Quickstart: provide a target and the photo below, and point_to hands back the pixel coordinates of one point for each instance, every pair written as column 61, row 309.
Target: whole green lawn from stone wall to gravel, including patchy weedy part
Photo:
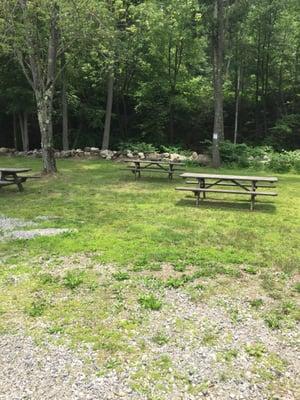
column 132, row 241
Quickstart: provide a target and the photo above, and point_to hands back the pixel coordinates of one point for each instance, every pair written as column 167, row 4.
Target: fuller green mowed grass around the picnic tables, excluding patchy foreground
column 146, row 221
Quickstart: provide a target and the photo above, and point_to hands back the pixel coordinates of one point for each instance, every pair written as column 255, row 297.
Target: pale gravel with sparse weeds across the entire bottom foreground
column 196, row 370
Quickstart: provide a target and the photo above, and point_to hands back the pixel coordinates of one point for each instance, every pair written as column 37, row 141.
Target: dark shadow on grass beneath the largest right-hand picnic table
column 220, row 204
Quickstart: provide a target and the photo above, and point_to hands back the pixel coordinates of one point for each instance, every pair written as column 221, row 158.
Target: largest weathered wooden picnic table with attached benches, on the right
column 248, row 185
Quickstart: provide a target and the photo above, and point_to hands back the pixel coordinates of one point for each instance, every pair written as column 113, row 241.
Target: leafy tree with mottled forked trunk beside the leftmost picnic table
column 38, row 33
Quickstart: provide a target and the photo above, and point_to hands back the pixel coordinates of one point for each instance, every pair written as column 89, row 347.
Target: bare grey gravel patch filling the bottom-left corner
column 35, row 373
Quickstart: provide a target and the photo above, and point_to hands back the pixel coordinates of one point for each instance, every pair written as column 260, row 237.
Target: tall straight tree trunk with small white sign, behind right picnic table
column 218, row 49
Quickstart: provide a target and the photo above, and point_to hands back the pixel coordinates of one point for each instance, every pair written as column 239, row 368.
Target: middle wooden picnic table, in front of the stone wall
column 169, row 167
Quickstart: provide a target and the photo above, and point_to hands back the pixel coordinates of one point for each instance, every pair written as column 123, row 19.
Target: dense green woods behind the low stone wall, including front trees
column 171, row 72
